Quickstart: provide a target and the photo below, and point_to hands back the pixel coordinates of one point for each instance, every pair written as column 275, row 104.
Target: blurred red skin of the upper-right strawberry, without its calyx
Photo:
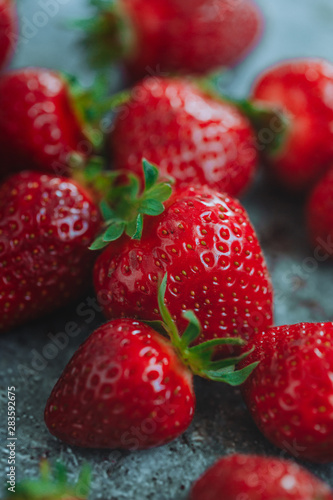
column 301, row 90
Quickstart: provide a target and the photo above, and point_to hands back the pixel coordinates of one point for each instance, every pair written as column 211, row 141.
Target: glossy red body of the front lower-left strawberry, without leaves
column 124, row 388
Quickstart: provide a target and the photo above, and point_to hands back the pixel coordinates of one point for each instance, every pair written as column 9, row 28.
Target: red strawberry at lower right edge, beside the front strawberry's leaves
column 290, row 394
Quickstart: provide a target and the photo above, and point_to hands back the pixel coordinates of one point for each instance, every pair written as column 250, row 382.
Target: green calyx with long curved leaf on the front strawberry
column 200, row 357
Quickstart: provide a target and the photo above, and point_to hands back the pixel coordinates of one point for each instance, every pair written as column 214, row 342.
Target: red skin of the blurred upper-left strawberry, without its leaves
column 39, row 127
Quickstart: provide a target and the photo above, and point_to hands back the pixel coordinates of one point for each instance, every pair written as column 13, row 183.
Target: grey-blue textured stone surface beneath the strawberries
column 303, row 289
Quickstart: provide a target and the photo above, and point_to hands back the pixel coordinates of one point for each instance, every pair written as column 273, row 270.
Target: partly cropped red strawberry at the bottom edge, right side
column 258, row 478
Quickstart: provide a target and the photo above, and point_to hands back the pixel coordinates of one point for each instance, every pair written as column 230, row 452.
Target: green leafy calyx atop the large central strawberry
column 130, row 206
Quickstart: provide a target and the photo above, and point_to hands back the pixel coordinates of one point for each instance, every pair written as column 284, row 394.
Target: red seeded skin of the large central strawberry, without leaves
column 205, row 242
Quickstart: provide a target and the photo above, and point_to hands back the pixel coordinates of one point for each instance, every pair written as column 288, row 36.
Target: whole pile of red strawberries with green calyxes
column 148, row 212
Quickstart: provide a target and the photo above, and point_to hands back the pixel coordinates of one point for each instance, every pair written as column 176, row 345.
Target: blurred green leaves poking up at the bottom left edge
column 53, row 485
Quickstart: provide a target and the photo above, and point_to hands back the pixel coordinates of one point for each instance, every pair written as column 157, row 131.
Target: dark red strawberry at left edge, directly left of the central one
column 46, row 226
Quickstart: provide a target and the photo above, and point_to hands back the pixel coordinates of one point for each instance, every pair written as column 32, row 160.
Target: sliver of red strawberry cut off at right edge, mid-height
column 320, row 217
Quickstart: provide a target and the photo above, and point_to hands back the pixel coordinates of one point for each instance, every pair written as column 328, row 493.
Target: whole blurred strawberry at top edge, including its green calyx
column 194, row 36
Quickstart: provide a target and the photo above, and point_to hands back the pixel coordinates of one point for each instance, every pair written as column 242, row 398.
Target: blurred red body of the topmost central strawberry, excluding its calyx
column 194, row 36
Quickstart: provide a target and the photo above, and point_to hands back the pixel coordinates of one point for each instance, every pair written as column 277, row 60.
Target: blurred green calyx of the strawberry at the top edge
column 109, row 34
